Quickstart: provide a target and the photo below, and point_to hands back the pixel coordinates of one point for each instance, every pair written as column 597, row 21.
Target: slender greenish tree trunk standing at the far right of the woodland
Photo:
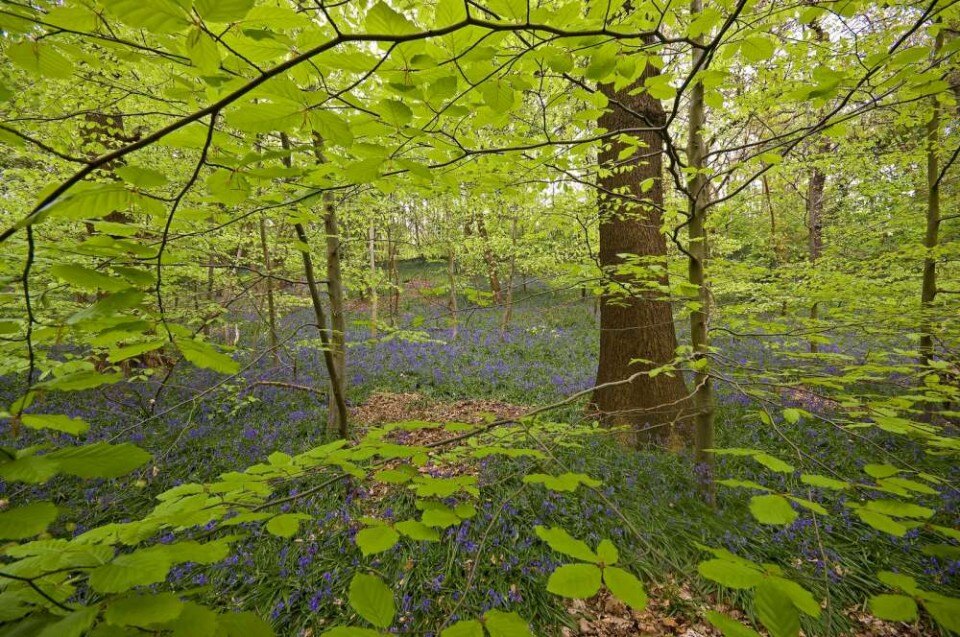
column 931, row 236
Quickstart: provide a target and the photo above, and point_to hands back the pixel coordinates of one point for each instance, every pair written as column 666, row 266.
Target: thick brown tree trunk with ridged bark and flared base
column 635, row 325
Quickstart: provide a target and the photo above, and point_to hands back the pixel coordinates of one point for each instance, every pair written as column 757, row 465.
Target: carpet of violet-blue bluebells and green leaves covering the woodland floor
column 547, row 353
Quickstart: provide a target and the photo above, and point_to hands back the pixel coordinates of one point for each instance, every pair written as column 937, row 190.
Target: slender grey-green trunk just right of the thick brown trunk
column 698, row 250
